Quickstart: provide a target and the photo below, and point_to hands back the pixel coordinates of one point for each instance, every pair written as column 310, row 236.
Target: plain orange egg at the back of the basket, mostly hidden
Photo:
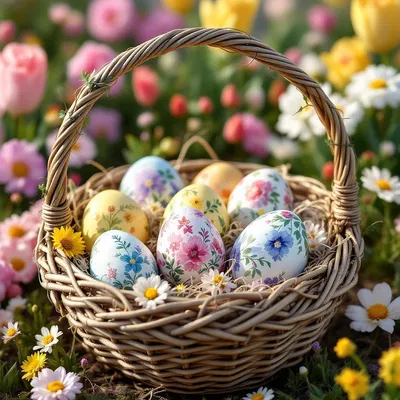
column 220, row 176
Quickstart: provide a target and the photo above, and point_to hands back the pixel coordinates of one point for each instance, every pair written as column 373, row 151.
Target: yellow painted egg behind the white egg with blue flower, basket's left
column 111, row 209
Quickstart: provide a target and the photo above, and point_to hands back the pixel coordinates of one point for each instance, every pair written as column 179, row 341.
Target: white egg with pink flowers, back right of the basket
column 258, row 193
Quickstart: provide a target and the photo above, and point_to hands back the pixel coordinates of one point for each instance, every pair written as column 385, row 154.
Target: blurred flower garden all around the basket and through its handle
column 246, row 112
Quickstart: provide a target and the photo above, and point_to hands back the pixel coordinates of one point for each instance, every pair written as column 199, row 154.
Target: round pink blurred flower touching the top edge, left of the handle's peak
column 111, row 21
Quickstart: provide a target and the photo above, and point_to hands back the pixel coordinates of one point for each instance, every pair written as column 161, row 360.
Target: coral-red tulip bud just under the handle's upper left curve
column 145, row 86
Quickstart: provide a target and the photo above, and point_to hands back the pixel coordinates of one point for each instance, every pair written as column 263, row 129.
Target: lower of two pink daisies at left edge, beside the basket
column 20, row 257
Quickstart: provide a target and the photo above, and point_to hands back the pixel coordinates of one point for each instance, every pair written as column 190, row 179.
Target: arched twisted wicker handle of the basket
column 345, row 190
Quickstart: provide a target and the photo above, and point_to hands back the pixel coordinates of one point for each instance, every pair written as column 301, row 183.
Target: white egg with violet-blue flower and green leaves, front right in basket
column 272, row 248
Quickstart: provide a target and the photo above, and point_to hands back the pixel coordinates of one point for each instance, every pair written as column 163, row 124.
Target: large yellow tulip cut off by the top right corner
column 376, row 22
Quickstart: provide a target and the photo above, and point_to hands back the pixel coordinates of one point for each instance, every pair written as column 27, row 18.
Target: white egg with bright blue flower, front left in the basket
column 118, row 258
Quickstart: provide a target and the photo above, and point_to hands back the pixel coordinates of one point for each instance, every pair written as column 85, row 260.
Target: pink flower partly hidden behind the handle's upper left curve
column 91, row 56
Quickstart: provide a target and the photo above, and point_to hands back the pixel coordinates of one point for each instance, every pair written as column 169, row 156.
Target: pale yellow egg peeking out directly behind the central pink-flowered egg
column 204, row 199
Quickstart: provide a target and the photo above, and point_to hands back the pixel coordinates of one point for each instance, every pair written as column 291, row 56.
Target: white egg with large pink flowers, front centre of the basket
column 188, row 246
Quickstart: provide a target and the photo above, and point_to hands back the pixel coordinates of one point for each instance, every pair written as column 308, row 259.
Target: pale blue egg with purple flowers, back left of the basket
column 151, row 179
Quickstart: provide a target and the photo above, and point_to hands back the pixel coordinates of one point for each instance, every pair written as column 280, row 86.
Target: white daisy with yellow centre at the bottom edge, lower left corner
column 58, row 384
